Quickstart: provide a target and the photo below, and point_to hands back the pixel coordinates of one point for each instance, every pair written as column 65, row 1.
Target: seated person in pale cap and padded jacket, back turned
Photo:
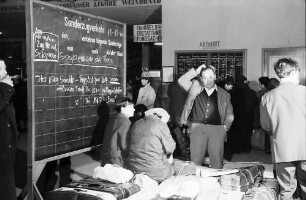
column 150, row 144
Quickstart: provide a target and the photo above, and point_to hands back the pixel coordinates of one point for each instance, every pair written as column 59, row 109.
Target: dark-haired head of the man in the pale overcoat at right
column 284, row 66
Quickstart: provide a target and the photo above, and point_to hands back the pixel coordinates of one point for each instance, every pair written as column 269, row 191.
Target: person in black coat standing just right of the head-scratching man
column 244, row 101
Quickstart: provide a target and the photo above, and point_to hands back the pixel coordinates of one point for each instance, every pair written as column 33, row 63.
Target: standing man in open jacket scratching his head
column 208, row 112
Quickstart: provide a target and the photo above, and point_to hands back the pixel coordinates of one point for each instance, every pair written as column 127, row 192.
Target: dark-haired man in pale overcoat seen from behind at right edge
column 283, row 114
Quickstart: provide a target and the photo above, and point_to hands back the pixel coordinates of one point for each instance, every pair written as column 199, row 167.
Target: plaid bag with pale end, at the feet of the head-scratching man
column 242, row 180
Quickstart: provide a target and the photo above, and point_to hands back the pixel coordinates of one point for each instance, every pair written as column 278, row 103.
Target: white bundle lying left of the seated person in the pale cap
column 113, row 173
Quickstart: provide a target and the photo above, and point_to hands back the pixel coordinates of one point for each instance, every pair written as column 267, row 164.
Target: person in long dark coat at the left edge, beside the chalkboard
column 8, row 136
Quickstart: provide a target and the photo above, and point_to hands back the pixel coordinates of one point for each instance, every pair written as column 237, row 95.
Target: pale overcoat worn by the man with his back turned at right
column 283, row 111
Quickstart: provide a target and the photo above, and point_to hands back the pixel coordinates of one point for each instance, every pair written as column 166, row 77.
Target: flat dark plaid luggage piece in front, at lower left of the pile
column 93, row 189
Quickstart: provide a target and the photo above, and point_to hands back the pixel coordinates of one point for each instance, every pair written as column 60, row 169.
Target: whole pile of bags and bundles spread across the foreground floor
column 113, row 183
